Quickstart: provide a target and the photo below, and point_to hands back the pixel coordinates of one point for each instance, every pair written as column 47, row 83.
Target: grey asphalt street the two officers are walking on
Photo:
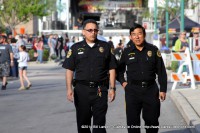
column 44, row 108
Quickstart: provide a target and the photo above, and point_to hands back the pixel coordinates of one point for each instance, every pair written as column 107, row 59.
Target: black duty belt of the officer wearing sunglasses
column 92, row 84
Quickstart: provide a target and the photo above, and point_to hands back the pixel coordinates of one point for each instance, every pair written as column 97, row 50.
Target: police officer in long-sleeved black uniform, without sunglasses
column 143, row 62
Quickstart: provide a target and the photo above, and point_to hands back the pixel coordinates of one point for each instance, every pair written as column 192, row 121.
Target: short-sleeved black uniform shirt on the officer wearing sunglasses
column 90, row 64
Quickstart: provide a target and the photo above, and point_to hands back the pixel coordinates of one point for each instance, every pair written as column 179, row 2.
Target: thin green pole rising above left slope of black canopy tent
column 167, row 22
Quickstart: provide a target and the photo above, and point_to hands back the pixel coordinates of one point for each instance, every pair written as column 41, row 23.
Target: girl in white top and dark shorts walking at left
column 23, row 64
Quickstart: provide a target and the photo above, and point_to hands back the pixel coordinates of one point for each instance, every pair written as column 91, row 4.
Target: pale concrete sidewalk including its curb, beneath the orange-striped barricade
column 188, row 103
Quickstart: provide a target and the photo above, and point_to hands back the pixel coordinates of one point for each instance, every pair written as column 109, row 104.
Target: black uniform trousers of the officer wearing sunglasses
column 88, row 104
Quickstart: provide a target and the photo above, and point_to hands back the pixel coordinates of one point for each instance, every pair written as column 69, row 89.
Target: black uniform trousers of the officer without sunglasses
column 145, row 100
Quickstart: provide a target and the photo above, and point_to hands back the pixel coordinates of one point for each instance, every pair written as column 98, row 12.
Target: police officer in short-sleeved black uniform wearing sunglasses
column 94, row 66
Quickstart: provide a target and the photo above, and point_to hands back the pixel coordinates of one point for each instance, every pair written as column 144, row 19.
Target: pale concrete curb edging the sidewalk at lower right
column 186, row 110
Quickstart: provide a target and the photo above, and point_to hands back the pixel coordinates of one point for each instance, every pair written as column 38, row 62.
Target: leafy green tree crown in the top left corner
column 14, row 12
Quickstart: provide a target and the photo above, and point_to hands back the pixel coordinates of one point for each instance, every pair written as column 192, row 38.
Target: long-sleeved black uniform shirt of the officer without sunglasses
column 143, row 65
